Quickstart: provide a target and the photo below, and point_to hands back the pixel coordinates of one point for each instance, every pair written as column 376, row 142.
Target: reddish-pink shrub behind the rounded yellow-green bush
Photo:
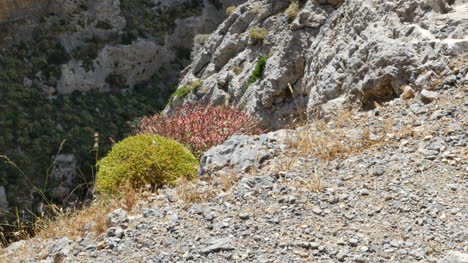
column 200, row 127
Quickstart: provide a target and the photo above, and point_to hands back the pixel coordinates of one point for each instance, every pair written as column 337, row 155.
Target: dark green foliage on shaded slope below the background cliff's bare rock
column 33, row 125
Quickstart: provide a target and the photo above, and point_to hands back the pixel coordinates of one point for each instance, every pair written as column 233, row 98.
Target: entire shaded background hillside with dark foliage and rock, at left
column 74, row 75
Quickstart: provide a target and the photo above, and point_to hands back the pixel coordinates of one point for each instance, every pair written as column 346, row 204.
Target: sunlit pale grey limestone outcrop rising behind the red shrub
column 359, row 51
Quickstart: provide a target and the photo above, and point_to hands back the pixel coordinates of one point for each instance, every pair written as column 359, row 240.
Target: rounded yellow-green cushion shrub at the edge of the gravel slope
column 145, row 159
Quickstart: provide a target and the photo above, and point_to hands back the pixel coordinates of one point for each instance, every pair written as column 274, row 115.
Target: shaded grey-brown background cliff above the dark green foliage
column 100, row 39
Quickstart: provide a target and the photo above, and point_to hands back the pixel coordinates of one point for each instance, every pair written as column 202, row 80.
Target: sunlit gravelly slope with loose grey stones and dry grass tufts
column 382, row 185
